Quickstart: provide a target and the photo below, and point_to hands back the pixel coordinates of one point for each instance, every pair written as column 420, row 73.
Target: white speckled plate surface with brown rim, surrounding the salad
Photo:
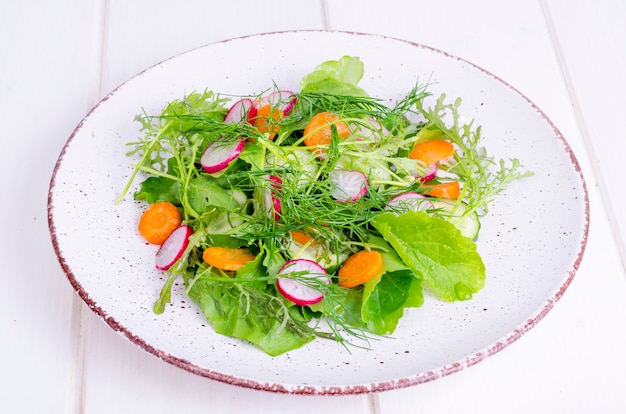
column 532, row 242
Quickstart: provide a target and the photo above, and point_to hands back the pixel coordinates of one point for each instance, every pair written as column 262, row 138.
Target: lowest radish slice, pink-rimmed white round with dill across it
column 298, row 292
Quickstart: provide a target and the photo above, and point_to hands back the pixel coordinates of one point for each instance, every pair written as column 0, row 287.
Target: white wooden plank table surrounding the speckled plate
column 58, row 58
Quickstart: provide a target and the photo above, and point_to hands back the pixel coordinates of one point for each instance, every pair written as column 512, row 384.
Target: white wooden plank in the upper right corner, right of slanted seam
column 590, row 41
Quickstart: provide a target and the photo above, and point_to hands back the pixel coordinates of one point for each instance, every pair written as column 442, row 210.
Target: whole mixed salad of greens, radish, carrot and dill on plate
column 318, row 213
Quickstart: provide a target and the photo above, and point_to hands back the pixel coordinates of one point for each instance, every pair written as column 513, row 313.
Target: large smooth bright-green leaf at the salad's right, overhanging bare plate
column 446, row 261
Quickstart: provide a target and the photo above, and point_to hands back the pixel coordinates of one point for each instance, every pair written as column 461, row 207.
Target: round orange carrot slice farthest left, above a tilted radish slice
column 158, row 221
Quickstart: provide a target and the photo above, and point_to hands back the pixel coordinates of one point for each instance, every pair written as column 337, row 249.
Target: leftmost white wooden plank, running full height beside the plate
column 45, row 89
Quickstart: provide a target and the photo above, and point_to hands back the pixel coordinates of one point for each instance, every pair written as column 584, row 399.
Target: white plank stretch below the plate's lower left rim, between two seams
column 121, row 377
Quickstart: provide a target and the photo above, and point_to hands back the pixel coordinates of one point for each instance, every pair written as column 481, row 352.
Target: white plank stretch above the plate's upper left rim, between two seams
column 144, row 33
